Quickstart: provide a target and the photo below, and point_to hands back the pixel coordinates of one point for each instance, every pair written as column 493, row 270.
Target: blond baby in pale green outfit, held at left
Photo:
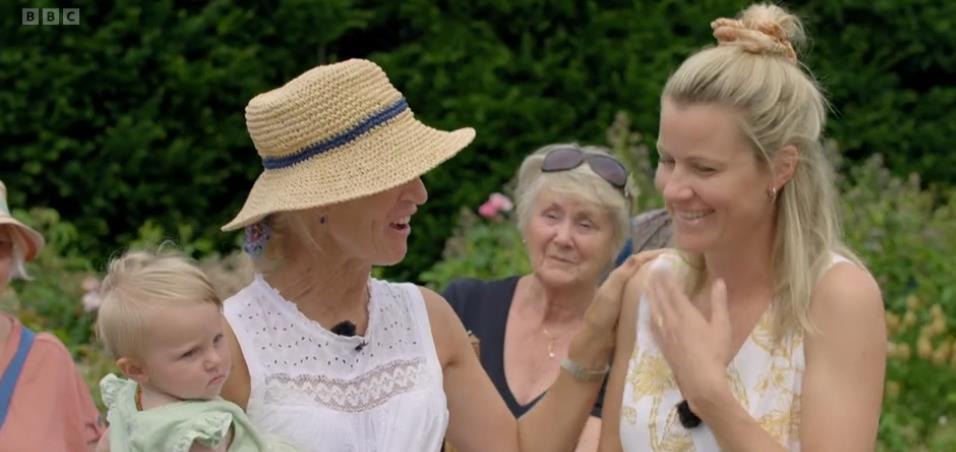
column 160, row 320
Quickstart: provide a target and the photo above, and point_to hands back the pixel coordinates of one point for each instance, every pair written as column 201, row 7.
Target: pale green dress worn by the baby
column 174, row 427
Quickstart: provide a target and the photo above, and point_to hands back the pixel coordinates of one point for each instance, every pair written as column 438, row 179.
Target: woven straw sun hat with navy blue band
column 336, row 133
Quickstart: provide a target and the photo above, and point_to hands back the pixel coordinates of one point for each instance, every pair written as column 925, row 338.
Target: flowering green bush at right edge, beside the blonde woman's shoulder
column 907, row 237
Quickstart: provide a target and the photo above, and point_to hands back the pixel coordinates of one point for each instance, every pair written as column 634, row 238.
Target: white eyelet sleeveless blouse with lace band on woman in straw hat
column 324, row 392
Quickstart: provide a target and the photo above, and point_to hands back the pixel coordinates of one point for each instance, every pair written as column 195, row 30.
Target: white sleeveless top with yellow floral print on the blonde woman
column 765, row 377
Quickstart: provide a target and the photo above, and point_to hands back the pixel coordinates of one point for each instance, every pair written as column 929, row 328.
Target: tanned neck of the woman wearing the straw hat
column 326, row 289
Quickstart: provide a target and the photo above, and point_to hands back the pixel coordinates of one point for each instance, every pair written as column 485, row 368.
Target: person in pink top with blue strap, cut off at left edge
column 44, row 404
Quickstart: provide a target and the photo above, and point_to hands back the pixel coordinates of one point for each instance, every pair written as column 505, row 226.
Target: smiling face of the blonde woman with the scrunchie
column 710, row 178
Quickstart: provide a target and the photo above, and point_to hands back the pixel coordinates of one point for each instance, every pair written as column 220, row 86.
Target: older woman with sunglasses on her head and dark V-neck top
column 572, row 211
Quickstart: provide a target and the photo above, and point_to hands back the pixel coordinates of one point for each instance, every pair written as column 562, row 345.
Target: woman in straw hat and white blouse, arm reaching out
column 332, row 359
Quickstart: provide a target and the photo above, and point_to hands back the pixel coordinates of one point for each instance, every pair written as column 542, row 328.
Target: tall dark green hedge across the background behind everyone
column 136, row 114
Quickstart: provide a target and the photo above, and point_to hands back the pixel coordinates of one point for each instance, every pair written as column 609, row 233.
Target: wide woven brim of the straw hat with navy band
column 381, row 159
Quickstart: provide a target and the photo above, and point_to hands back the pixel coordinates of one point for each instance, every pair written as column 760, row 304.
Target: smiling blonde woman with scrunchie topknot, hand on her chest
column 765, row 332
